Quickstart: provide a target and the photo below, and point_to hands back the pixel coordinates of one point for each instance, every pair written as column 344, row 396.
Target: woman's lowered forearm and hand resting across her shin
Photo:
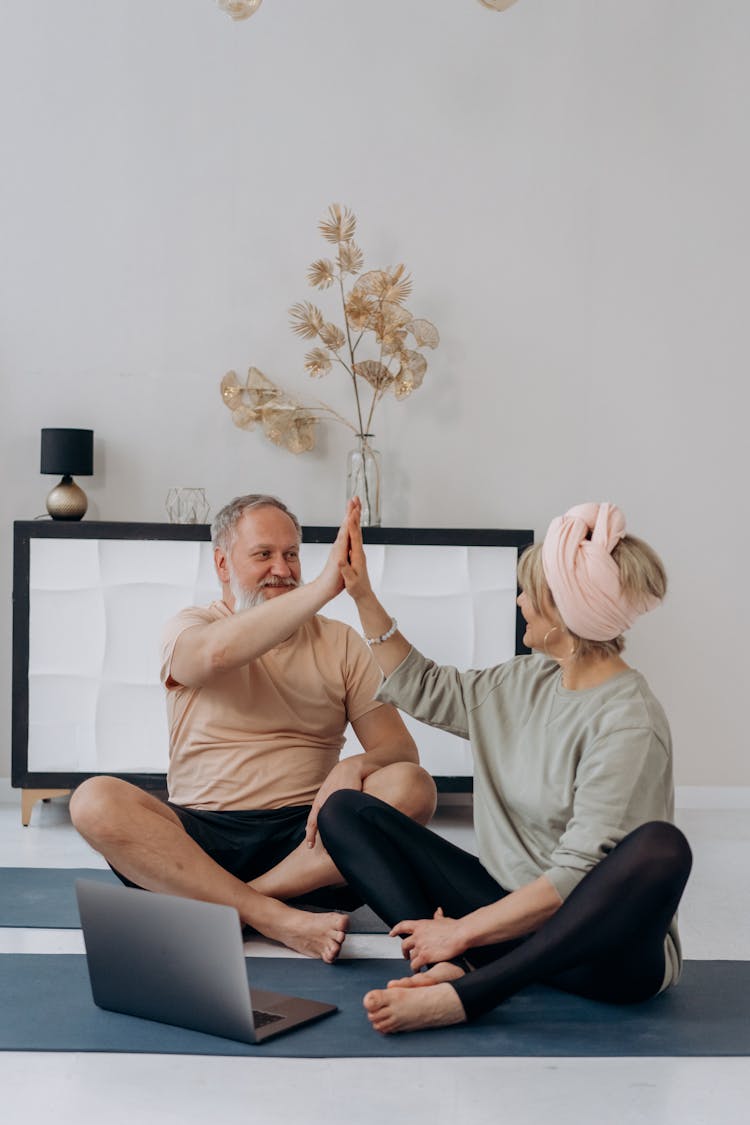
column 440, row 939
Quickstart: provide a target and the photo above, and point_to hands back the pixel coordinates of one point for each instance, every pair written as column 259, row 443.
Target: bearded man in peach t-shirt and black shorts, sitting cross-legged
column 259, row 692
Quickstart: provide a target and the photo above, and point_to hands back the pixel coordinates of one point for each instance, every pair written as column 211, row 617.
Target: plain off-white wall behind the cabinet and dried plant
column 568, row 183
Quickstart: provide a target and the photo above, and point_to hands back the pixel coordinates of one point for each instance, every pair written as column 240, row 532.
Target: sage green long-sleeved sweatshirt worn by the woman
column 561, row 777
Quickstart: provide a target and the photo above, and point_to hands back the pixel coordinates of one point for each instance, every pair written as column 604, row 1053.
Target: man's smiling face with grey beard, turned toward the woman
column 264, row 562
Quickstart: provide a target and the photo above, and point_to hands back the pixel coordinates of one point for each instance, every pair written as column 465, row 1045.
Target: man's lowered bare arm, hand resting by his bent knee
column 385, row 741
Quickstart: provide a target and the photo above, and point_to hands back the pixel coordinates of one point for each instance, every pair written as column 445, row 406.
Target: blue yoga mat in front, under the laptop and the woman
column 48, row 1006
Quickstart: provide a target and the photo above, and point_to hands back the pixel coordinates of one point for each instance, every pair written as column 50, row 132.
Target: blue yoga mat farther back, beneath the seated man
column 44, row 898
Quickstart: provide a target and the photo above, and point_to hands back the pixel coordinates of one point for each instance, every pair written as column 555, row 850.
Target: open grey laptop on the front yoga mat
column 179, row 961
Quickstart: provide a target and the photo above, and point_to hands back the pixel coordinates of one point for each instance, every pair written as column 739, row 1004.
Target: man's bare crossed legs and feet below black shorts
column 147, row 842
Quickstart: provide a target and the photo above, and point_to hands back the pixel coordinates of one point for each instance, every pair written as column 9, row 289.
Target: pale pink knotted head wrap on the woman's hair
column 583, row 577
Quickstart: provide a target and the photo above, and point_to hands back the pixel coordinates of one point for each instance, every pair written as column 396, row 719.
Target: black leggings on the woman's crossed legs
column 607, row 942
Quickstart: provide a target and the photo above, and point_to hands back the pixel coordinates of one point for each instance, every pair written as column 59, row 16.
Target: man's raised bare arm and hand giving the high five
column 204, row 652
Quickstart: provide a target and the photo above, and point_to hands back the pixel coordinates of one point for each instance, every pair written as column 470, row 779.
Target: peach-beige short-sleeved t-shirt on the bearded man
column 266, row 736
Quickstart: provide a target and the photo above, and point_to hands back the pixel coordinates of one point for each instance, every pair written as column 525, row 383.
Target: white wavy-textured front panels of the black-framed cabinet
column 97, row 607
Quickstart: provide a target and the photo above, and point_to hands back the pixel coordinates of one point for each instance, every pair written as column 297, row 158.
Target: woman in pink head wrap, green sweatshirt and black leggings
column 580, row 870
